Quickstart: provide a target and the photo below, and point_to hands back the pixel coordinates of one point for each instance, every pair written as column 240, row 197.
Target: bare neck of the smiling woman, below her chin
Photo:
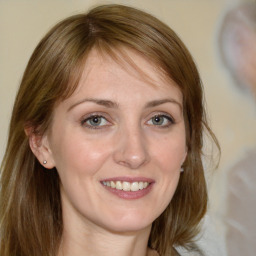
column 100, row 242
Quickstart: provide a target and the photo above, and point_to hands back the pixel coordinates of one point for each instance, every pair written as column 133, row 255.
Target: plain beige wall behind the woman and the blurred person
column 232, row 114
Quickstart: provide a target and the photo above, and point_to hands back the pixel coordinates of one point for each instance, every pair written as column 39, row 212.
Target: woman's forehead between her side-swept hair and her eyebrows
column 120, row 64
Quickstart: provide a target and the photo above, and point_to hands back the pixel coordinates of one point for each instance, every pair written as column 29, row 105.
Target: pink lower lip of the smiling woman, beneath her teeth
column 129, row 195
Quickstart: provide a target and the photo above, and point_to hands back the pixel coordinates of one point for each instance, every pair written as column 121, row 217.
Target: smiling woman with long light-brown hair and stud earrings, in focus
column 105, row 145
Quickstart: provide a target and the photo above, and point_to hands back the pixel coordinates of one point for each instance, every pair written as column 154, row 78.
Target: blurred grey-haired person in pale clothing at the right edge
column 237, row 41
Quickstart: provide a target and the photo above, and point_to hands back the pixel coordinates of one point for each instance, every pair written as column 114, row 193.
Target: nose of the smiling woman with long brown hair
column 131, row 149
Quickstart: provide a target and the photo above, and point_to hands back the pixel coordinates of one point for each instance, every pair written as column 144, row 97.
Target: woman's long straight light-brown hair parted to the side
column 30, row 207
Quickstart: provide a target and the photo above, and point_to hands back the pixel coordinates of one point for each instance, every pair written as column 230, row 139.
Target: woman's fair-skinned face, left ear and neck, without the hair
column 121, row 129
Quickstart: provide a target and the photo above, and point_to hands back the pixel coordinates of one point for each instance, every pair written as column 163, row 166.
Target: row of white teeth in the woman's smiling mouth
column 126, row 186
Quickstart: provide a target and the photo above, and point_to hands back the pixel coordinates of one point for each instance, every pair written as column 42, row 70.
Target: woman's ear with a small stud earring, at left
column 40, row 147
